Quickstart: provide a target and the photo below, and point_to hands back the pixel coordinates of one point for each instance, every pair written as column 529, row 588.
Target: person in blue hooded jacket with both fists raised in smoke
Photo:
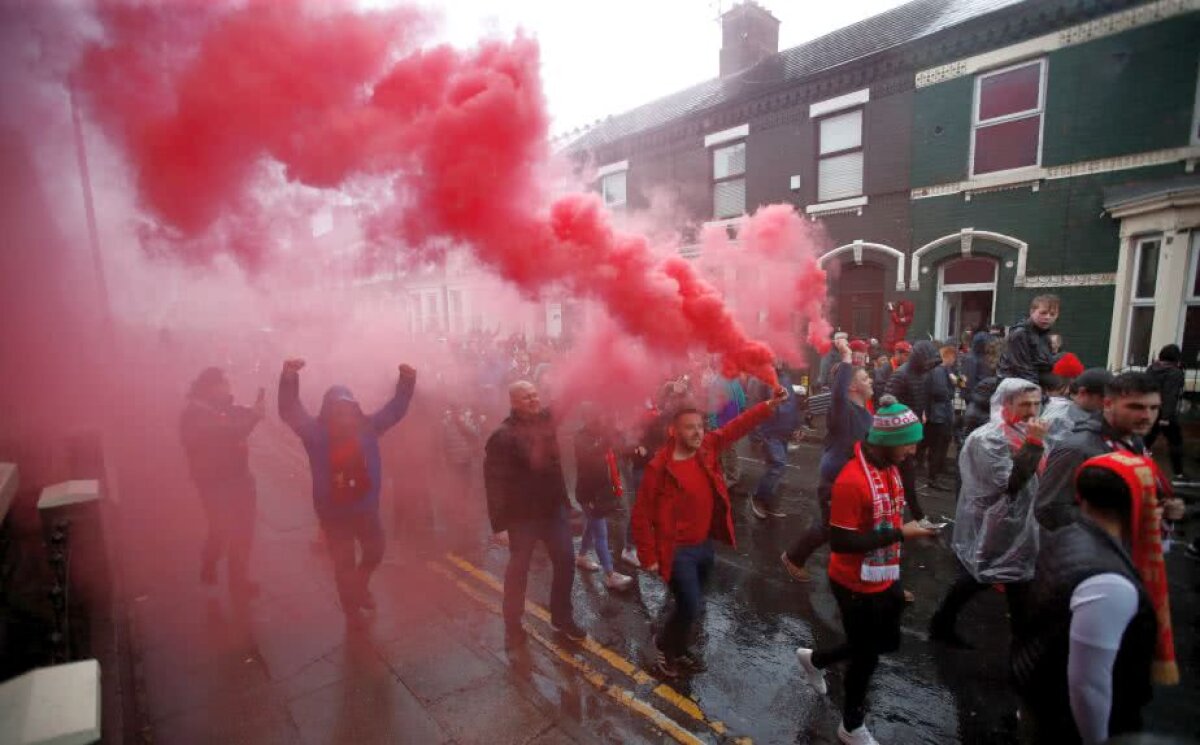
column 344, row 456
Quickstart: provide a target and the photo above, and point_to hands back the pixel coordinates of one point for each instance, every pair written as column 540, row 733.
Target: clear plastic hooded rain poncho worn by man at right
column 995, row 533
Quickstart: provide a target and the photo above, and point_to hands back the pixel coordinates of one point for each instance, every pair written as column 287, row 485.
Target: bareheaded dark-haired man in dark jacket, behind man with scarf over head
column 1132, row 404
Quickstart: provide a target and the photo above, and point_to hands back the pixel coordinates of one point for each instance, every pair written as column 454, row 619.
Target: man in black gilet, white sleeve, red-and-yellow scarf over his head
column 1100, row 628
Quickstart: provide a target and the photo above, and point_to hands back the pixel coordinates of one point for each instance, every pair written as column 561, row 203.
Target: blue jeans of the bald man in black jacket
column 524, row 536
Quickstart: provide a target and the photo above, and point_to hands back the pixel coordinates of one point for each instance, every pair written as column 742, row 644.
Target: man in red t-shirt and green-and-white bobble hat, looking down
column 866, row 532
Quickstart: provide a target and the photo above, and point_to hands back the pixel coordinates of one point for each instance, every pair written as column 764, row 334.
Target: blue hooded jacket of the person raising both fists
column 334, row 500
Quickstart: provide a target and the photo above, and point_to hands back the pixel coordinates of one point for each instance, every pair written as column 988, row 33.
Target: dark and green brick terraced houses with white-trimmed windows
column 962, row 154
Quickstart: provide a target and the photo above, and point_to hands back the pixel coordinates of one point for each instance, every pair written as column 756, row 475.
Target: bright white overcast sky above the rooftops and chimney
column 603, row 58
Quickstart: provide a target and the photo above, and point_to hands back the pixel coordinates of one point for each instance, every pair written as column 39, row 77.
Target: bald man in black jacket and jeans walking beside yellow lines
column 527, row 498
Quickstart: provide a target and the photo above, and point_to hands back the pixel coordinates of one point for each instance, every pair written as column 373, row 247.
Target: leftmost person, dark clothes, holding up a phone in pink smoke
column 214, row 432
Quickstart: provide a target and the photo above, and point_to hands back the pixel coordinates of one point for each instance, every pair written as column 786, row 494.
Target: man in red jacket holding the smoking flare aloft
column 683, row 506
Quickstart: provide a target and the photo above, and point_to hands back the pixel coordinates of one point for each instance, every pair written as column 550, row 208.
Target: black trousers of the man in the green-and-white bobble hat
column 872, row 622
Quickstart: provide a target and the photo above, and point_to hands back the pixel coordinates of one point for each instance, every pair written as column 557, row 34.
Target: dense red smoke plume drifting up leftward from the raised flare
column 201, row 99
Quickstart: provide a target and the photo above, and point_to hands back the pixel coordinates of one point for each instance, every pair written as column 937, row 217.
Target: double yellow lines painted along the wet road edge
column 622, row 695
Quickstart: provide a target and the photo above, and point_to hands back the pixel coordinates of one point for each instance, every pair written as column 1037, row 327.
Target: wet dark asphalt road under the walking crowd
column 758, row 616
